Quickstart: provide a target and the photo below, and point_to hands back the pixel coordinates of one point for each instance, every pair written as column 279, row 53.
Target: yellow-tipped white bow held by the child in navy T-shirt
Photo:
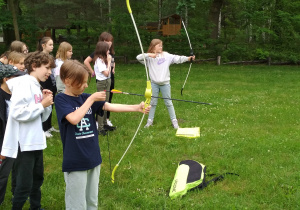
column 148, row 92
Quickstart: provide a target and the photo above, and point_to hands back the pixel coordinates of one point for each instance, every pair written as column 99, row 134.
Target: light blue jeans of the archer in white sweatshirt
column 166, row 93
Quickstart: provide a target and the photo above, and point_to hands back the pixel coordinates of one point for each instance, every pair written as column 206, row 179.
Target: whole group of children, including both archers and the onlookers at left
column 28, row 101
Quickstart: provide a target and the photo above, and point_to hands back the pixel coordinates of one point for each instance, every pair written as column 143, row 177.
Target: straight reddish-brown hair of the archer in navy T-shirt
column 75, row 71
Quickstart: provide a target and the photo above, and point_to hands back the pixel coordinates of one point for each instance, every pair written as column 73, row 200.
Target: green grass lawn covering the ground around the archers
column 252, row 129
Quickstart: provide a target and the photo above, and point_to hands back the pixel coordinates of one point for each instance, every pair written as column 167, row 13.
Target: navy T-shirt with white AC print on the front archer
column 81, row 149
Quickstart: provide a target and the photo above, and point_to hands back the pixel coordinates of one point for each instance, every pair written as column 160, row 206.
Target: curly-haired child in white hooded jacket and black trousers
column 24, row 137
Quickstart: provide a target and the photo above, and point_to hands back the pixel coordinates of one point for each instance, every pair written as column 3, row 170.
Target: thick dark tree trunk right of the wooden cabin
column 214, row 15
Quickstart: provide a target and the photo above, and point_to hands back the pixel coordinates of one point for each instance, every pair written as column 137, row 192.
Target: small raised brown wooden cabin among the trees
column 170, row 25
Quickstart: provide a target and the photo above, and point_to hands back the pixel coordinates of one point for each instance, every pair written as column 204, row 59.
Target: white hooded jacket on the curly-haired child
column 24, row 124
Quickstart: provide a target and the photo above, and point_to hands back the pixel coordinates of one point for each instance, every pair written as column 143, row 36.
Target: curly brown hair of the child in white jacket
column 37, row 59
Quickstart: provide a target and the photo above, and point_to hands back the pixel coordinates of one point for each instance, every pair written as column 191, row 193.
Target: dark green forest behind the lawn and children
column 235, row 30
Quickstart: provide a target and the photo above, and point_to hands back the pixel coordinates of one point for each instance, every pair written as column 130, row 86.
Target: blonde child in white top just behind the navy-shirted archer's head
column 64, row 52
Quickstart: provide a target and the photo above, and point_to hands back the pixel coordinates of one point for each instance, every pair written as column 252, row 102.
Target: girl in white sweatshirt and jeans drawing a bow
column 158, row 63
